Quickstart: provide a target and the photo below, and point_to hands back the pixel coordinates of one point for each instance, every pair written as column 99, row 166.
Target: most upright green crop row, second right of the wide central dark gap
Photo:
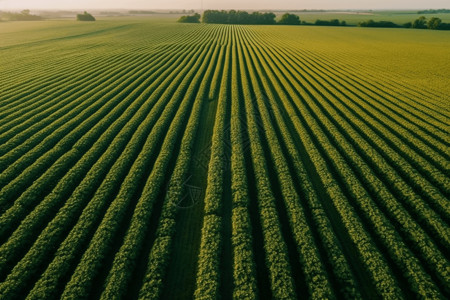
column 244, row 269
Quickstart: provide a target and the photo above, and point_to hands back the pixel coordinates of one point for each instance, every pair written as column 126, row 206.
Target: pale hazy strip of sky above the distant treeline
column 224, row 4
